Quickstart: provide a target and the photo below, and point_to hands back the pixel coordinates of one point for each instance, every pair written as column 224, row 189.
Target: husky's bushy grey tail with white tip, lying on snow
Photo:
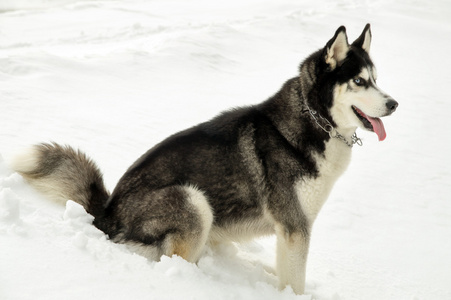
column 62, row 173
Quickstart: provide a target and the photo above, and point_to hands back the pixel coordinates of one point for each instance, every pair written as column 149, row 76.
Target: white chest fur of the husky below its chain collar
column 313, row 192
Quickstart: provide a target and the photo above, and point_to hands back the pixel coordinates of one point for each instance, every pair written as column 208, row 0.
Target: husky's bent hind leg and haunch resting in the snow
column 173, row 221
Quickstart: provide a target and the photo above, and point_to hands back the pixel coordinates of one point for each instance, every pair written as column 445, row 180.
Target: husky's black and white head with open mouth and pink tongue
column 346, row 81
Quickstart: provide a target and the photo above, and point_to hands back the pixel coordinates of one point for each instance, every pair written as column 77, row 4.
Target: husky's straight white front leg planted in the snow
column 292, row 250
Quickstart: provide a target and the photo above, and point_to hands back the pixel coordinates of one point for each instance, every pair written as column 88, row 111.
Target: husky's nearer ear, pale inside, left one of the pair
column 337, row 48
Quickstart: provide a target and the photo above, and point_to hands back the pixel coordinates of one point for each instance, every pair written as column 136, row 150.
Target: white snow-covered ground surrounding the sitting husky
column 116, row 77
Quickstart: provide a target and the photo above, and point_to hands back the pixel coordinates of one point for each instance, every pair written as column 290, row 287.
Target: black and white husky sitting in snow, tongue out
column 253, row 171
